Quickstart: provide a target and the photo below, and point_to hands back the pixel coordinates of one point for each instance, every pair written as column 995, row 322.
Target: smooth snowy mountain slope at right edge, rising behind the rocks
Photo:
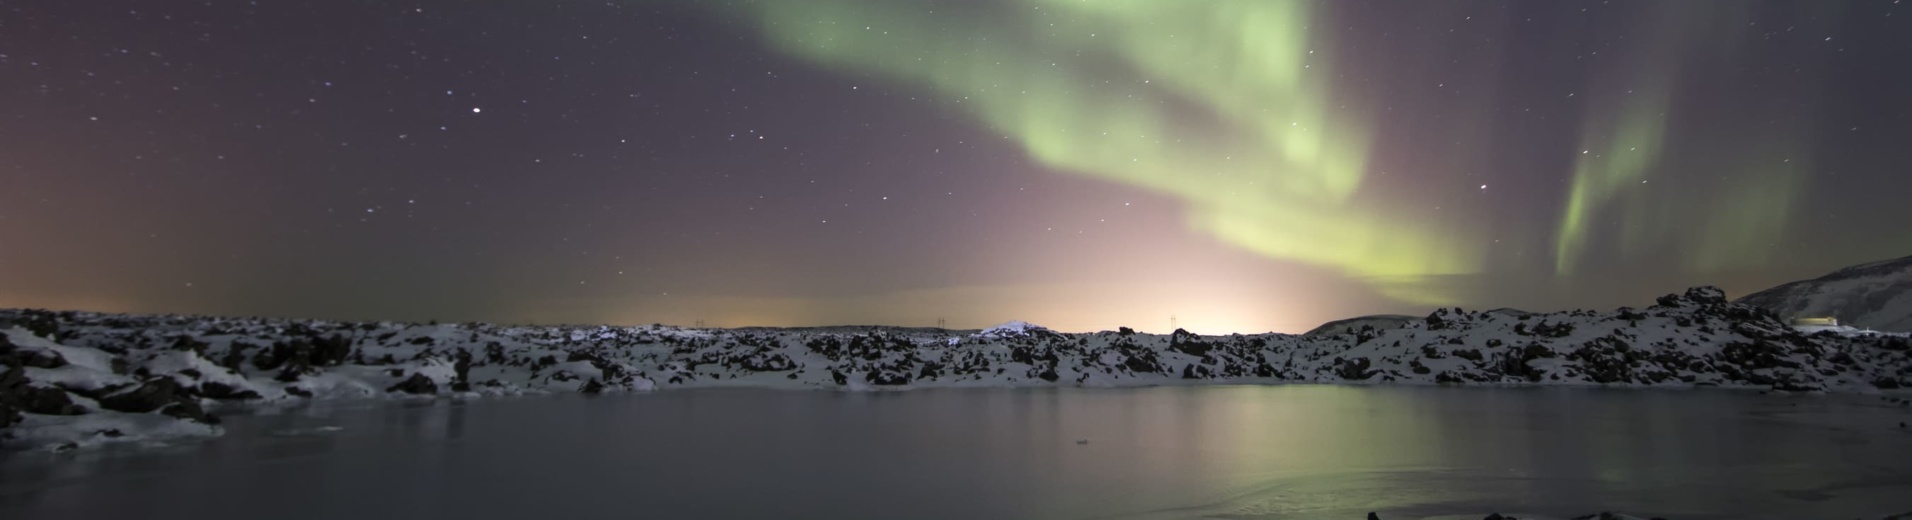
column 1871, row 295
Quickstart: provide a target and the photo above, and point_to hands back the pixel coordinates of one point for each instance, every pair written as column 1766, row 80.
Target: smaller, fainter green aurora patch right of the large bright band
column 1750, row 181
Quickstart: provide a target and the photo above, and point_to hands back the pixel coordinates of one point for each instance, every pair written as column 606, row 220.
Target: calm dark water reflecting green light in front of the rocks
column 1217, row 452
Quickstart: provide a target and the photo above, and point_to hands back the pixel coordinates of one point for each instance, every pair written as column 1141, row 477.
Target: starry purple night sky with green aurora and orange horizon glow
column 1083, row 165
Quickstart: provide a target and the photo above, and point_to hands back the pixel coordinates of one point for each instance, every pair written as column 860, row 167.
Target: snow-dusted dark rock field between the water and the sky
column 76, row 379
